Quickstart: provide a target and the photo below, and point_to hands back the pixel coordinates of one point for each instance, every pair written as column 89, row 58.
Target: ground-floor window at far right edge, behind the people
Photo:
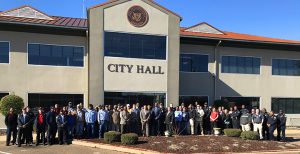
column 287, row 105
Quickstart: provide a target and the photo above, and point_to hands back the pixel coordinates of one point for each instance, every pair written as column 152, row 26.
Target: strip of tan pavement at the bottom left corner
column 59, row 149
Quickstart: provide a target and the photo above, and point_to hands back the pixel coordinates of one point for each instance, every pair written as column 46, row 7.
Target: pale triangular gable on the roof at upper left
column 26, row 12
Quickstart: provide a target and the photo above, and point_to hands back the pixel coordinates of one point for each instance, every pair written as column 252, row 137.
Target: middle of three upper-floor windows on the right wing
column 242, row 65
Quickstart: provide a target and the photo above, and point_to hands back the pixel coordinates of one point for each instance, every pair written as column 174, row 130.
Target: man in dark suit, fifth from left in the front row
column 61, row 121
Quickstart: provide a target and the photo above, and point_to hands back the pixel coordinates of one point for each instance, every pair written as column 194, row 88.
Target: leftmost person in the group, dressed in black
column 11, row 122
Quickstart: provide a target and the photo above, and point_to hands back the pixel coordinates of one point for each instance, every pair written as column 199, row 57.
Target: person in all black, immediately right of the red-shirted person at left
column 51, row 123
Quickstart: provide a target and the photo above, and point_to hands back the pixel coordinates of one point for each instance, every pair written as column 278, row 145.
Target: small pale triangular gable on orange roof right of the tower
column 204, row 28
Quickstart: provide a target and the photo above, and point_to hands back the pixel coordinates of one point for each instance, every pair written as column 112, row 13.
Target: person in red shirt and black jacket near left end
column 40, row 126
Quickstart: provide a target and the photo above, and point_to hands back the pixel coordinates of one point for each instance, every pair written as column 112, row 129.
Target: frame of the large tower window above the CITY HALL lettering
column 136, row 33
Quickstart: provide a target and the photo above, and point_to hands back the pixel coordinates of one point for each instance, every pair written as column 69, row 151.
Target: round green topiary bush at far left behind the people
column 11, row 101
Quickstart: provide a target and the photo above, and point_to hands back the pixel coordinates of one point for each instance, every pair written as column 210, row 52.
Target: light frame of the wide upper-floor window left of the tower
column 62, row 45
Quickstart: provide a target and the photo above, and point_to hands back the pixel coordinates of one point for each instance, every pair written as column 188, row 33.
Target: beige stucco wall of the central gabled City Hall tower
column 113, row 17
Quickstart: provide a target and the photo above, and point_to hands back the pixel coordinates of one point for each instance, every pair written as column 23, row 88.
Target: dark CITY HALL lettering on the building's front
column 140, row 69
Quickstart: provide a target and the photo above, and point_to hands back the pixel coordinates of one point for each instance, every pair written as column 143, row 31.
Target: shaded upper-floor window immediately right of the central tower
column 193, row 63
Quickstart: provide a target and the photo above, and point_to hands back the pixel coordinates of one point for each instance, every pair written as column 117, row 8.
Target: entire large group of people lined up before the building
column 77, row 122
